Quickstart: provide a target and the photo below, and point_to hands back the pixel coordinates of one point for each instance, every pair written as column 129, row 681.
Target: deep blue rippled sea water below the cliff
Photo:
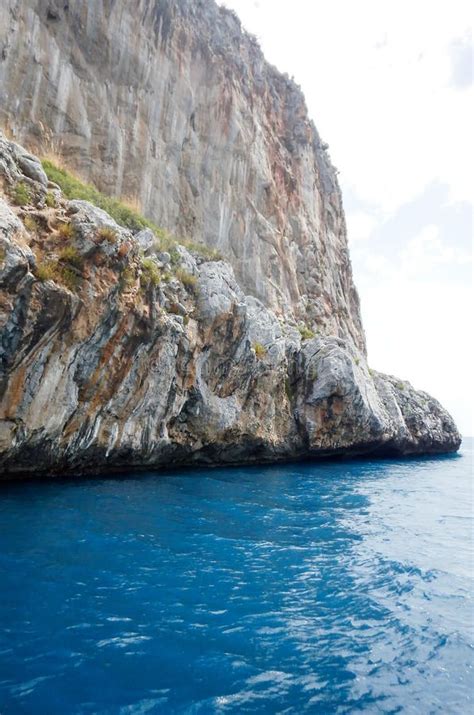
column 340, row 587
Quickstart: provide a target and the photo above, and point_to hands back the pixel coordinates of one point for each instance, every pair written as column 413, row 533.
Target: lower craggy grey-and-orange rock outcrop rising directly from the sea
column 112, row 359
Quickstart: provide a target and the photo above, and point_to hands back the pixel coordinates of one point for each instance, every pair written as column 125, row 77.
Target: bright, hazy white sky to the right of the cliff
column 389, row 86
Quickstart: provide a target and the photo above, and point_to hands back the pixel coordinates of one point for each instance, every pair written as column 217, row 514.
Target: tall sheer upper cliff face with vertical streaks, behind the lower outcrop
column 169, row 101
